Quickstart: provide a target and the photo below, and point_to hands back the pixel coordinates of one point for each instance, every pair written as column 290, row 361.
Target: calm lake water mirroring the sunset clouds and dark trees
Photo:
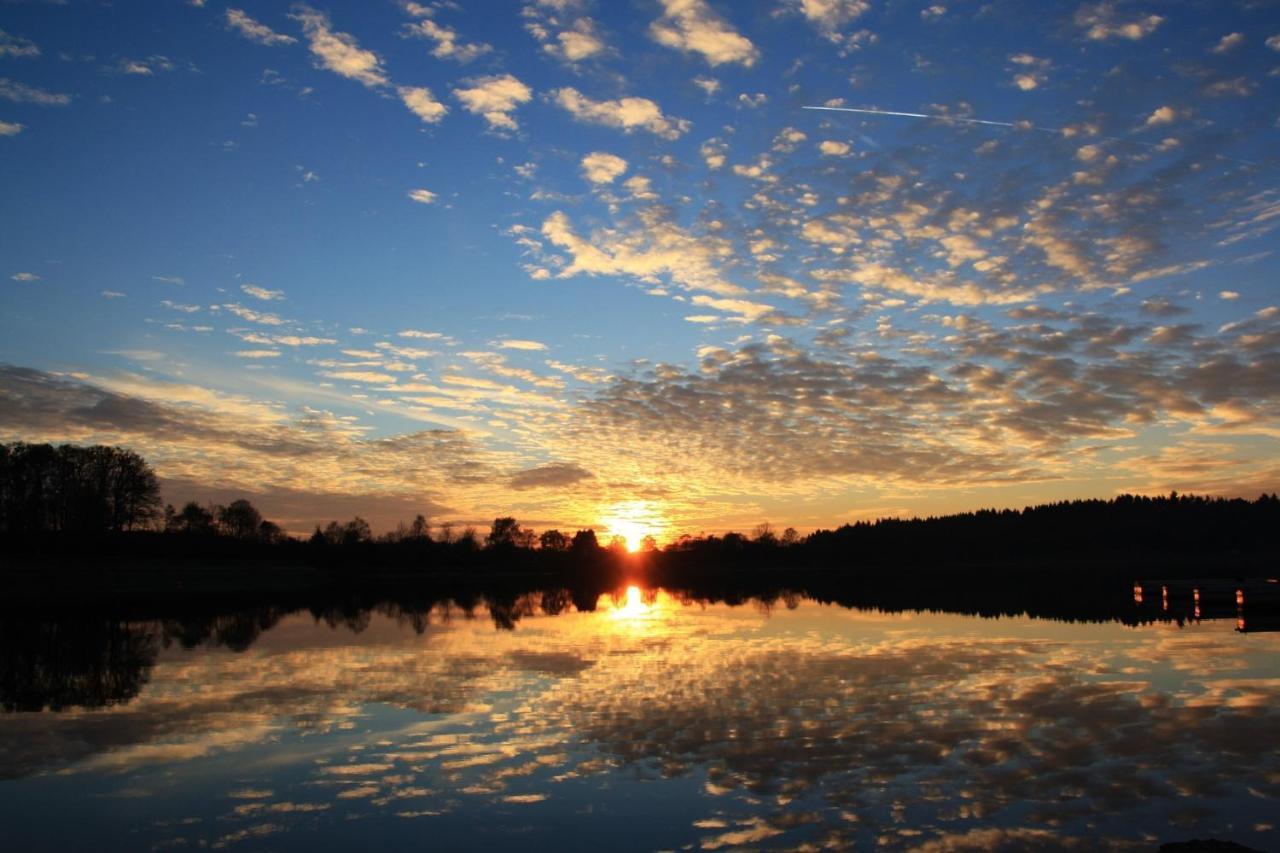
column 650, row 724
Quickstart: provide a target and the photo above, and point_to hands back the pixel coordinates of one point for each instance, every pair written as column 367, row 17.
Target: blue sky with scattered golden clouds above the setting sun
column 600, row 264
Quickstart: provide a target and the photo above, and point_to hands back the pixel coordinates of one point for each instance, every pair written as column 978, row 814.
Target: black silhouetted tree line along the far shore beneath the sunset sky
column 47, row 492
